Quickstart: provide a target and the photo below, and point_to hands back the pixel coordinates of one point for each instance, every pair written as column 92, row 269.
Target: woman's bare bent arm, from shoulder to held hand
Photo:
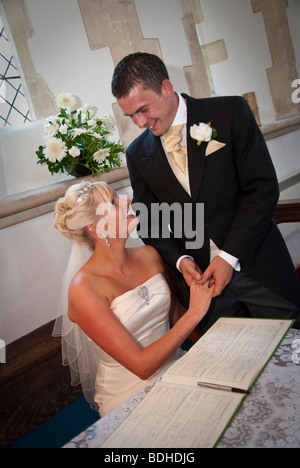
column 94, row 316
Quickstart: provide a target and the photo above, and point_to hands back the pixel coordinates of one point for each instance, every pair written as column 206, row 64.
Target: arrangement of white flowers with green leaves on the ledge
column 76, row 141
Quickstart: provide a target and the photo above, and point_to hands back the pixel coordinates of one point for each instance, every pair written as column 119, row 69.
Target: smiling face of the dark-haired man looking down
column 149, row 110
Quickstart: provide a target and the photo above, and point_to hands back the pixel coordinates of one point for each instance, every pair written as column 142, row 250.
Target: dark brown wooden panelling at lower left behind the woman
column 34, row 385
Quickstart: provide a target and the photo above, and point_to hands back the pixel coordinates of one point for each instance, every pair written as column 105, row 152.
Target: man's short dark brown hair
column 144, row 69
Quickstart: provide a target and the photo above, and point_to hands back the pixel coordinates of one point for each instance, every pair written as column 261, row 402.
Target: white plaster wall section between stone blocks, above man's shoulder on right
column 247, row 47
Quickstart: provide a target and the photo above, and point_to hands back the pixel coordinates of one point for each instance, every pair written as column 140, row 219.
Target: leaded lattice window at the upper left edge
column 13, row 104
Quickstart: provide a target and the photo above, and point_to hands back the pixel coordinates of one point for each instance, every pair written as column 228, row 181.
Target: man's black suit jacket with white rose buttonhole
column 237, row 184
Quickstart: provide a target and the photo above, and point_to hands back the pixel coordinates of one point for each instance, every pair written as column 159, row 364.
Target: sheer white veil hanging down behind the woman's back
column 77, row 350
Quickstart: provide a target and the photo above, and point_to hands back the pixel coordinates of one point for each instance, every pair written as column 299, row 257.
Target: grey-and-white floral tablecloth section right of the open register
column 270, row 416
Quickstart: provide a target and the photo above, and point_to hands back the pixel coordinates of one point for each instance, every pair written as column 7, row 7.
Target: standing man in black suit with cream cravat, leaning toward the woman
column 244, row 254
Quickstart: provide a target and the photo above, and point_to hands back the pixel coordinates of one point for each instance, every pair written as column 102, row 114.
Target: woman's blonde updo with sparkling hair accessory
column 77, row 209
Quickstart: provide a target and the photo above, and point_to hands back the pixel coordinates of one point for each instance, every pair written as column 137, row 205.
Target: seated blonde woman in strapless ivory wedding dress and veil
column 116, row 328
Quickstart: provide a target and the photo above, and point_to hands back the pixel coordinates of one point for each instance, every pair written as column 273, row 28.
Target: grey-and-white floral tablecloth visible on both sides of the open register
column 269, row 417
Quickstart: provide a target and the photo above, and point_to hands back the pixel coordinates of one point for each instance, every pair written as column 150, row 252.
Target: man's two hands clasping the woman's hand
column 218, row 274
